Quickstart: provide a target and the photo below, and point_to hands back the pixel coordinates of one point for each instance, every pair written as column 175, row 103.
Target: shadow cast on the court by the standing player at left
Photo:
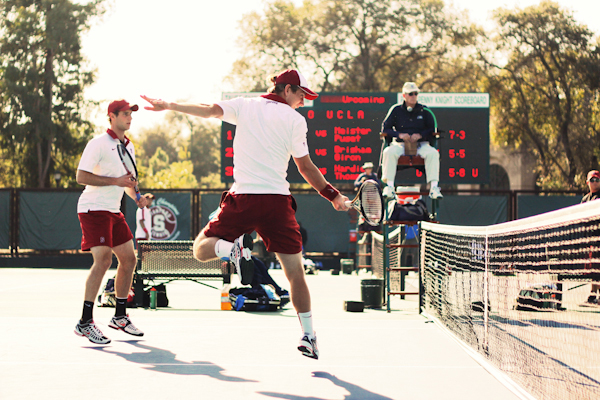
column 165, row 361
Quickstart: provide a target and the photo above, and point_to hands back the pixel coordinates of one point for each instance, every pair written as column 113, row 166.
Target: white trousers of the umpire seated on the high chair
column 396, row 149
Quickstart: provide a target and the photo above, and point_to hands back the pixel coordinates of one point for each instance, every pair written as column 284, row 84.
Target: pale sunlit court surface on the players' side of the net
column 192, row 349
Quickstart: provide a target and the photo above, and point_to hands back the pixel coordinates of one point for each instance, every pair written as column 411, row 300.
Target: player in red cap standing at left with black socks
column 103, row 226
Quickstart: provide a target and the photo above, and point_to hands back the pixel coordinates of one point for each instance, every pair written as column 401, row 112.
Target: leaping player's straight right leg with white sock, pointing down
column 300, row 296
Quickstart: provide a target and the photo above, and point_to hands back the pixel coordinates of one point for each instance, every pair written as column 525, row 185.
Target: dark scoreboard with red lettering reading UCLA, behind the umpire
column 343, row 134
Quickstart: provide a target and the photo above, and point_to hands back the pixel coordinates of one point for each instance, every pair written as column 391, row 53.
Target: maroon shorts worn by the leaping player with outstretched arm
column 272, row 216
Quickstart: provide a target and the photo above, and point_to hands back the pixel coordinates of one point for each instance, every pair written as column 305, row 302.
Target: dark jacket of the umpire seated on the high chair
column 400, row 120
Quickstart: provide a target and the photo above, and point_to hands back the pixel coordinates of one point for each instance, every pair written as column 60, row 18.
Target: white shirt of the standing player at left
column 100, row 157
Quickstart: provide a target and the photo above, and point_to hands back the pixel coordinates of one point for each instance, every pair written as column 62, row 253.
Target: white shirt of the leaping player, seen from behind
column 268, row 131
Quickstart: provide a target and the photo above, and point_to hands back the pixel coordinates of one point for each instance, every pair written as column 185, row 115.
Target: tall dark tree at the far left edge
column 43, row 75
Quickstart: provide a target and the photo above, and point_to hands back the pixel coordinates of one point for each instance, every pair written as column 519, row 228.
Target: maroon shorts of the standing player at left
column 103, row 228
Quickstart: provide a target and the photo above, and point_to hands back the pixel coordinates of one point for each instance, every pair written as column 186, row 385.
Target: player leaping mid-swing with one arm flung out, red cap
column 269, row 131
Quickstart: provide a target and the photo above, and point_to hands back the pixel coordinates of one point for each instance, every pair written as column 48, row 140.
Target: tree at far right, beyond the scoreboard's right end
column 546, row 91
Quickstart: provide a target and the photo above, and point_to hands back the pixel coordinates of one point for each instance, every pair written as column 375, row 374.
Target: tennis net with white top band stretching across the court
column 517, row 293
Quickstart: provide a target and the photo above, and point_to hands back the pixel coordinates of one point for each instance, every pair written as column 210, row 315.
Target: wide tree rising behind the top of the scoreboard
column 355, row 45
